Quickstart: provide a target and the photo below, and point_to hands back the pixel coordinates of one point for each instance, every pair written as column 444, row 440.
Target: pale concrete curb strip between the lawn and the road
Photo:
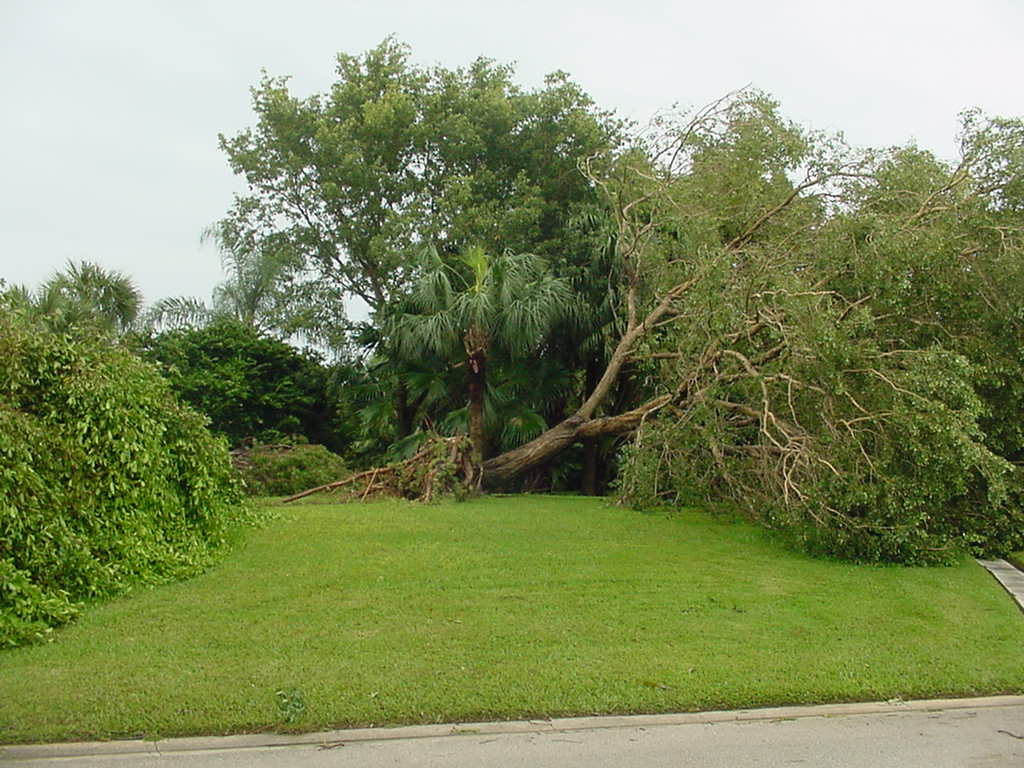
column 336, row 738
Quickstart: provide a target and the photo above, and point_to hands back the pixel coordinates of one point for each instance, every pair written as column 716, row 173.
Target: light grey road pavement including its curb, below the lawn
column 931, row 735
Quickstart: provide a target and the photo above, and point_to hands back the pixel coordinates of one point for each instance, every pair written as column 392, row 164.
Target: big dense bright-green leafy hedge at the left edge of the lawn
column 106, row 480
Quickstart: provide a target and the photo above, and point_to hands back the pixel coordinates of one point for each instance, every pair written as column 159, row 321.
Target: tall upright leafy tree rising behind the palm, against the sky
column 358, row 181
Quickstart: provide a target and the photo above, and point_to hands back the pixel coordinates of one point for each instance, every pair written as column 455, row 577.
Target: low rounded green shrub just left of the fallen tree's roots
column 280, row 471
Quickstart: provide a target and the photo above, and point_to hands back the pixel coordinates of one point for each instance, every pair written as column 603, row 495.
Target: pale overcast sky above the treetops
column 111, row 110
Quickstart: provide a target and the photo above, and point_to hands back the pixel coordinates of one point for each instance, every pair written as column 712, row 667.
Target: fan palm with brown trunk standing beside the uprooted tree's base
column 476, row 307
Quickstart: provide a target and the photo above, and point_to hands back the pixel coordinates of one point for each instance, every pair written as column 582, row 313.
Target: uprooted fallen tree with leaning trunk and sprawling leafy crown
column 824, row 336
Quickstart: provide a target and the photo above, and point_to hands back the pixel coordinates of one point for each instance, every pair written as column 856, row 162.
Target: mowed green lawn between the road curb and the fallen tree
column 506, row 608
